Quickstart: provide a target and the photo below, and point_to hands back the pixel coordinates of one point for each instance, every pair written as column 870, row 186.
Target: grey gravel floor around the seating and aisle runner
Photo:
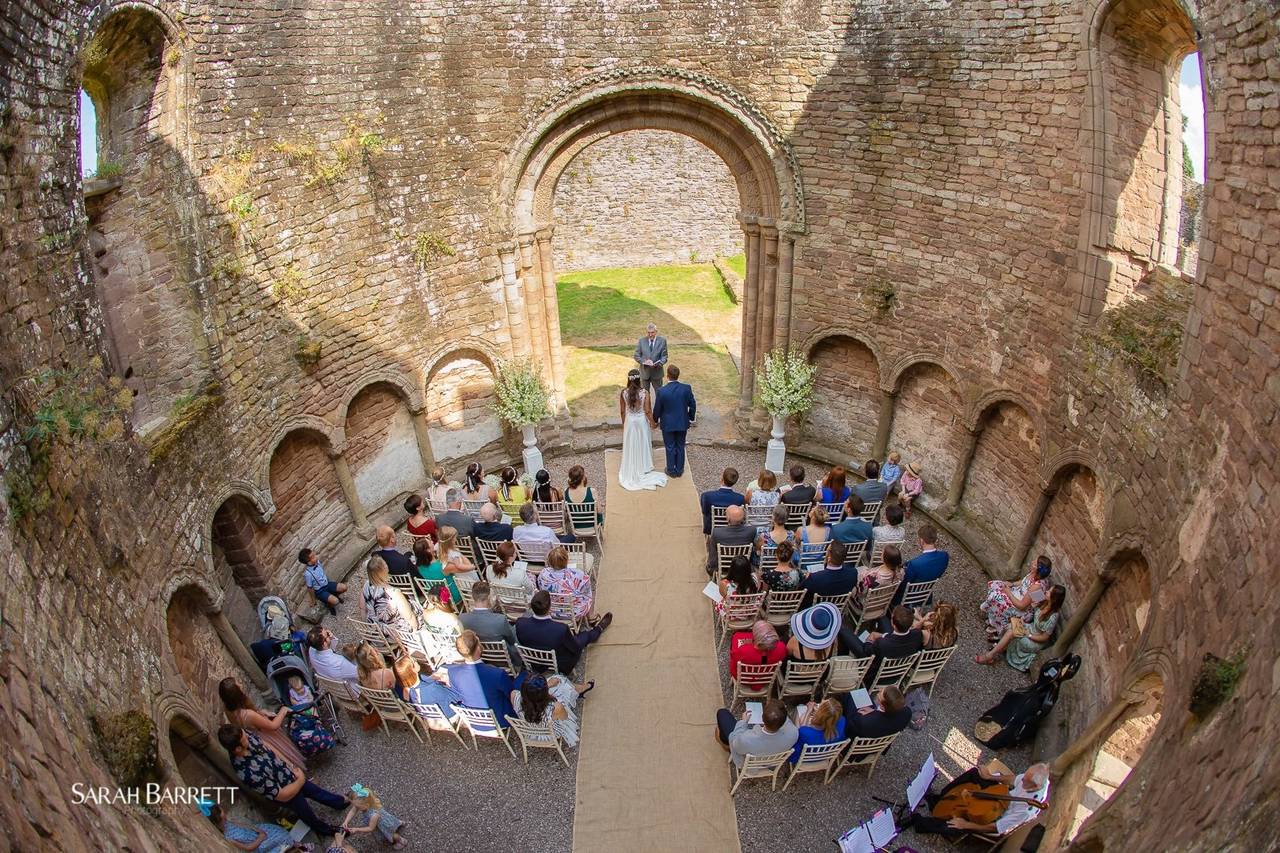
column 423, row 783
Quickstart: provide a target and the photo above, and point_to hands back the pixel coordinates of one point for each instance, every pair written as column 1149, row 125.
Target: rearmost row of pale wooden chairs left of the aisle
column 479, row 723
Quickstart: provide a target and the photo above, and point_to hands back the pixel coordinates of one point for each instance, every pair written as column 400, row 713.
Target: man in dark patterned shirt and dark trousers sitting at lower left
column 263, row 772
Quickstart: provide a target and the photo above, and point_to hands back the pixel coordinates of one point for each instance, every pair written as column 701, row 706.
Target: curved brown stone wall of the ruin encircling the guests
column 949, row 161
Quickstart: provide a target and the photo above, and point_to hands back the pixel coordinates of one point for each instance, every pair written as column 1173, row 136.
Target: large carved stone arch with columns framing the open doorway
column 651, row 99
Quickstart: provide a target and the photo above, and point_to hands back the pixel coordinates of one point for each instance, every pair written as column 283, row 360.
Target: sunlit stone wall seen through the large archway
column 646, row 198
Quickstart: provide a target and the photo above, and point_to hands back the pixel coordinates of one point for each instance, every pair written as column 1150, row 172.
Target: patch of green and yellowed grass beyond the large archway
column 604, row 313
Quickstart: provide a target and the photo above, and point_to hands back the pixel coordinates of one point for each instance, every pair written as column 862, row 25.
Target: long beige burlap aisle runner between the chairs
column 650, row 774
